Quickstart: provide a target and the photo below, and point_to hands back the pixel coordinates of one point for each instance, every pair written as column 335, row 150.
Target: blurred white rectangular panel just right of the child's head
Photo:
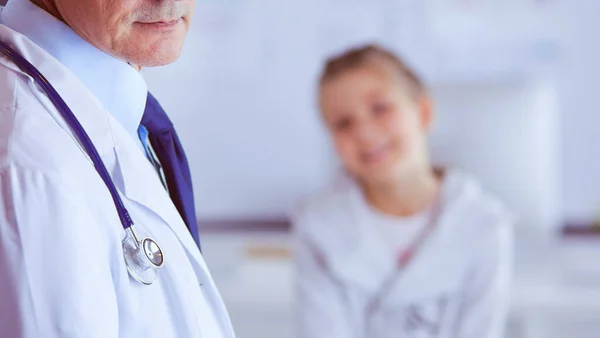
column 507, row 135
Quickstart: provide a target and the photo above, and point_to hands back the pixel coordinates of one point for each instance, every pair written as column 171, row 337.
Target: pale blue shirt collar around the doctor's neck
column 119, row 87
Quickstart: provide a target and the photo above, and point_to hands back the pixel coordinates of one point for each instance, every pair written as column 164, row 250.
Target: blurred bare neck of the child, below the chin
column 406, row 195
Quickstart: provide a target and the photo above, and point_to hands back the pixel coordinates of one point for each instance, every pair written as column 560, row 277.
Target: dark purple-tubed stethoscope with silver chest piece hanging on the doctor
column 143, row 256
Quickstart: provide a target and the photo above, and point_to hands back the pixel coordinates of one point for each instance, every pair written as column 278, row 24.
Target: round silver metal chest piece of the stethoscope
column 143, row 257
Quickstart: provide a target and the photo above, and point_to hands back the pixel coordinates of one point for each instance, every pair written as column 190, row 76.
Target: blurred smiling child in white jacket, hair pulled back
column 396, row 248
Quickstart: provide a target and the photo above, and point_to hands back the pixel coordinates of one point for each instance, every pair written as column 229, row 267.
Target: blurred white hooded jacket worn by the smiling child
column 458, row 282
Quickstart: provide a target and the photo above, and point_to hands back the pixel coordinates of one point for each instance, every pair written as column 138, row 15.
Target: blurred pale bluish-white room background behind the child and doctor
column 516, row 84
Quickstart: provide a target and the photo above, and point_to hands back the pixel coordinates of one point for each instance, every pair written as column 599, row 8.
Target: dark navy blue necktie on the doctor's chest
column 168, row 149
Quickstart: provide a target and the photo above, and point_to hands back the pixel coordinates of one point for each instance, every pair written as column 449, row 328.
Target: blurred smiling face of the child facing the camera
column 379, row 132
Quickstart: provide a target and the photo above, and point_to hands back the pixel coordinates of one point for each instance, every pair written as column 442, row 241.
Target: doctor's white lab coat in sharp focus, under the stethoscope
column 62, row 272
